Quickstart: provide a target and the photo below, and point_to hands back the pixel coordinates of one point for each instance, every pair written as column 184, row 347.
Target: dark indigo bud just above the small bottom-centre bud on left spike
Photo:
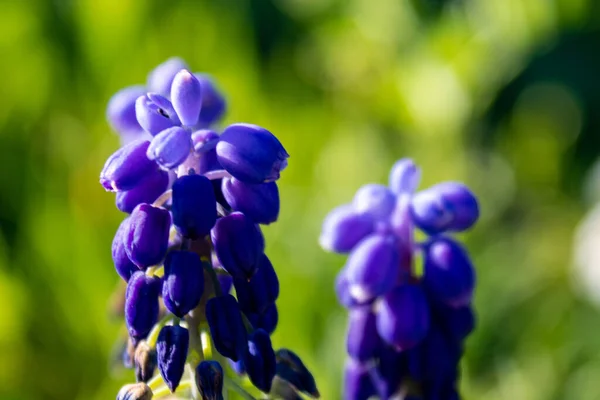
column 226, row 326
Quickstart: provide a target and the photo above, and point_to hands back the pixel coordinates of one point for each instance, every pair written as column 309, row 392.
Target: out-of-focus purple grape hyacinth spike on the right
column 407, row 321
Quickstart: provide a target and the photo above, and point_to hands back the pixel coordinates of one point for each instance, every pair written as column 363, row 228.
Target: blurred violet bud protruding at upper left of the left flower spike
column 120, row 112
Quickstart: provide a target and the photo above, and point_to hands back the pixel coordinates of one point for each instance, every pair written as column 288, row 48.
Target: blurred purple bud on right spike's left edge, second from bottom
column 363, row 341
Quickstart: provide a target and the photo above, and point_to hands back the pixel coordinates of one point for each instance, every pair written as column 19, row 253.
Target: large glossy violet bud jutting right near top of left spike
column 251, row 154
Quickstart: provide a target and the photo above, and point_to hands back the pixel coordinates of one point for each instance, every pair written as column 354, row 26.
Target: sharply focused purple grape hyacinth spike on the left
column 195, row 199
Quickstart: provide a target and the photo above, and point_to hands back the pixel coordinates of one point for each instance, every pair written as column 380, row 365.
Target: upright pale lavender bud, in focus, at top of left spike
column 186, row 95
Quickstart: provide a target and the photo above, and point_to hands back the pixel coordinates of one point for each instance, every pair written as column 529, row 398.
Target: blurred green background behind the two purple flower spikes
column 501, row 94
